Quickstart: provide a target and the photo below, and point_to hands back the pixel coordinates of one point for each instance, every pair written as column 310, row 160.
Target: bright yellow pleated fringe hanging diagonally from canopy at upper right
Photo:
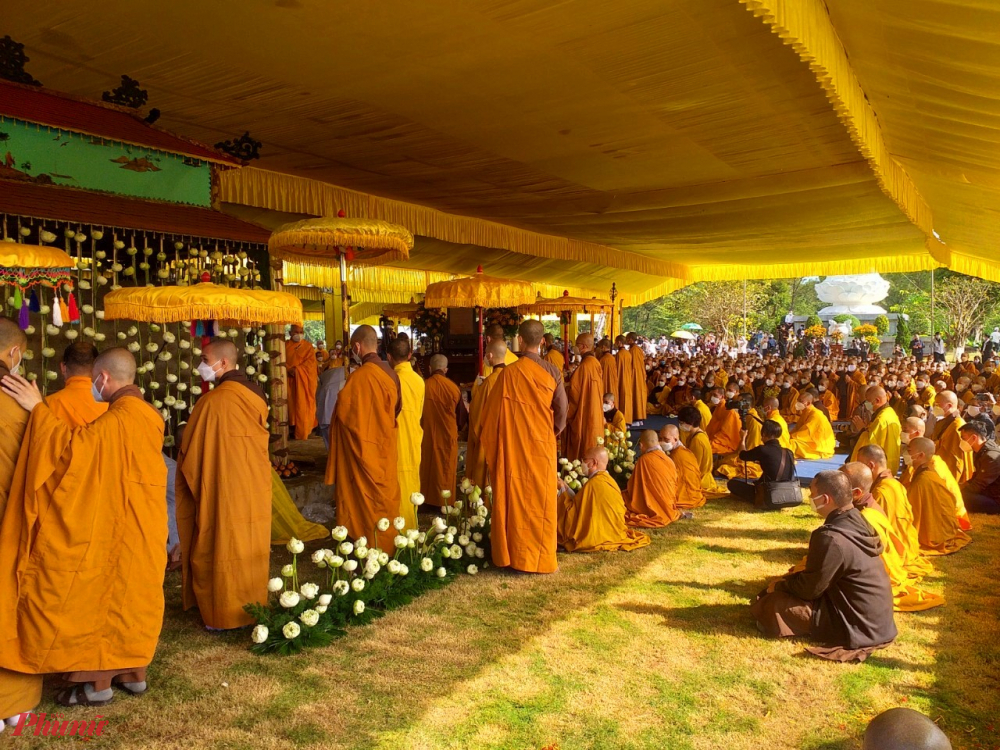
column 805, row 26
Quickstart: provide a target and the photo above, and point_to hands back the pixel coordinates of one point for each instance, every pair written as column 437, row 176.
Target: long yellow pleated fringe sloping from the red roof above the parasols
column 280, row 192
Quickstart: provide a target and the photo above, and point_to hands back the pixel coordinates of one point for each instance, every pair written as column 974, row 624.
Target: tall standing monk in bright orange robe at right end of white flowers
column 524, row 414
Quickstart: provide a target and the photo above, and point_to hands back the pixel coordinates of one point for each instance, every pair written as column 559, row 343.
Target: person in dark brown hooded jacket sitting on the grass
column 841, row 598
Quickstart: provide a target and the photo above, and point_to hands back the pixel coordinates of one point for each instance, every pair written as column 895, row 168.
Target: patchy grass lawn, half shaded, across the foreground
column 648, row 649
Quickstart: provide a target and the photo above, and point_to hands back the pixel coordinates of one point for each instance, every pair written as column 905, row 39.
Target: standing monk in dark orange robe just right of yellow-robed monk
column 443, row 409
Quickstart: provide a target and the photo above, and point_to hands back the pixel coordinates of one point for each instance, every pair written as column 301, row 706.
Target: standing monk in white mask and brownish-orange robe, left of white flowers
column 223, row 494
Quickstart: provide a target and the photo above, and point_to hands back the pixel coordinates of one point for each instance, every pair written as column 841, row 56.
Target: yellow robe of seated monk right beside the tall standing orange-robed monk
column 594, row 519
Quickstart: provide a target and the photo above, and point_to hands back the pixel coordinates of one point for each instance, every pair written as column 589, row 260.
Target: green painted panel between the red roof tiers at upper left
column 57, row 157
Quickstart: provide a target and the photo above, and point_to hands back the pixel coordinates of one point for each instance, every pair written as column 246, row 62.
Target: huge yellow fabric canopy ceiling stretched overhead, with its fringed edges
column 650, row 143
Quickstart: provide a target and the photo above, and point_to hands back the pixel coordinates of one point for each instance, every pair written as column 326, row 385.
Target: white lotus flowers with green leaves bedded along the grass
column 358, row 582
